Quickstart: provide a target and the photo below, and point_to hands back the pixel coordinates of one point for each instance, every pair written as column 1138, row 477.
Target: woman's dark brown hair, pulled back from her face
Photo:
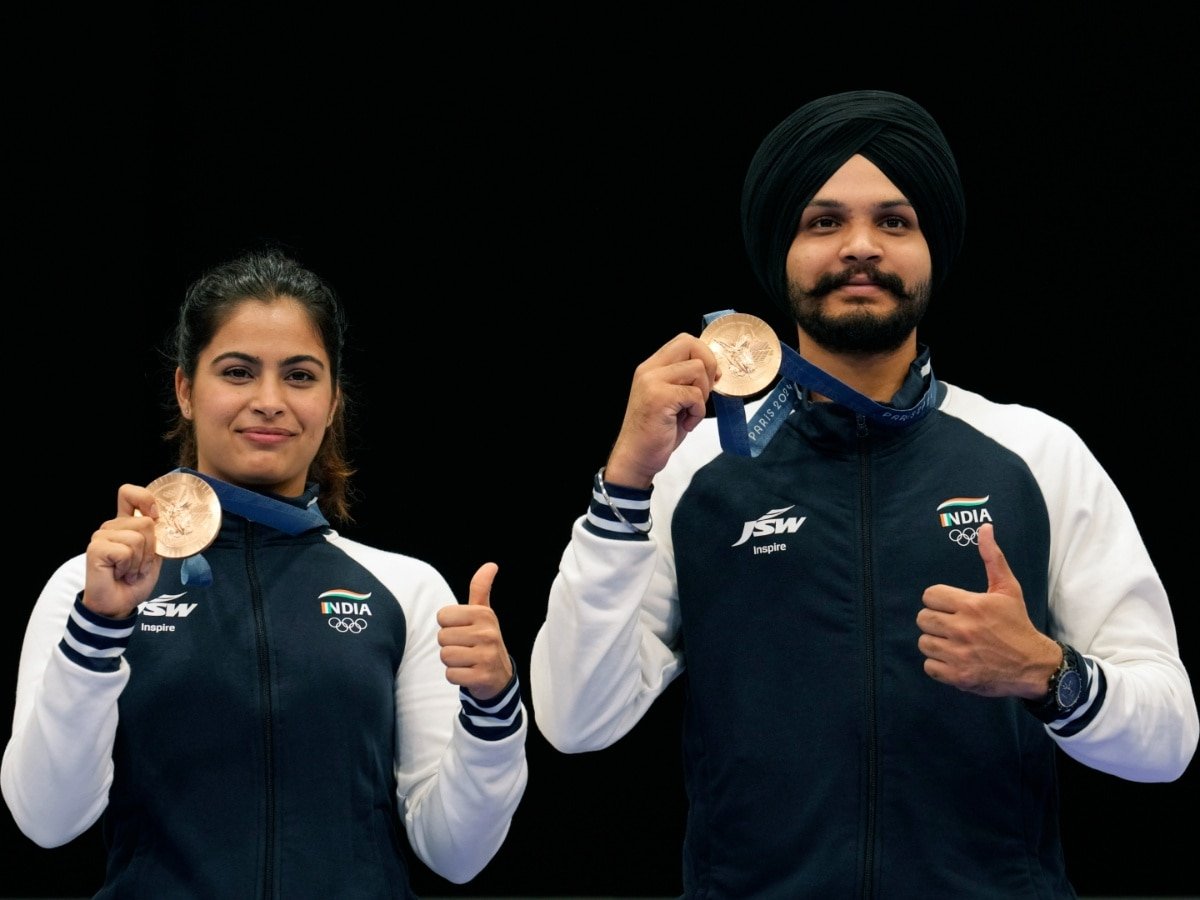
column 267, row 275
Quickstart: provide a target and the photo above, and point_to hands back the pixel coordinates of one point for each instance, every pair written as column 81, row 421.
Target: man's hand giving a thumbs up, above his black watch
column 986, row 644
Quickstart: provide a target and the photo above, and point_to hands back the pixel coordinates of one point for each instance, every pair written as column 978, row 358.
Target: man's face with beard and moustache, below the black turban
column 860, row 272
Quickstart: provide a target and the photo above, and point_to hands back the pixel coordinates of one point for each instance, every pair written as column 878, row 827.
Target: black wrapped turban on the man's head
column 805, row 151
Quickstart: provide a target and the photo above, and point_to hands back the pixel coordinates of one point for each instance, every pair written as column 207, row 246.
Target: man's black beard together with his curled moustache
column 860, row 333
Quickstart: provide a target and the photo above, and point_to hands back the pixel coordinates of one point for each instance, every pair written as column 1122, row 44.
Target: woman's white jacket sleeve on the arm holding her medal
column 58, row 764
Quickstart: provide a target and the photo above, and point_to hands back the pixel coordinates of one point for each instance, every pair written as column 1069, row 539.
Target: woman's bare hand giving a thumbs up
column 472, row 646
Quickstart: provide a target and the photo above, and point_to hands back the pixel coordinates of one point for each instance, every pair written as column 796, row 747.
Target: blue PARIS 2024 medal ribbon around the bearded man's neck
column 749, row 437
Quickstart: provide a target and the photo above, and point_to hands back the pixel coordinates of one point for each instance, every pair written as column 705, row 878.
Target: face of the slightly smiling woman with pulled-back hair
column 262, row 398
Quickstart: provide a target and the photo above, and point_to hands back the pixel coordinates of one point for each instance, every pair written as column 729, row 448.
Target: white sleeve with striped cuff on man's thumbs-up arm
column 1107, row 601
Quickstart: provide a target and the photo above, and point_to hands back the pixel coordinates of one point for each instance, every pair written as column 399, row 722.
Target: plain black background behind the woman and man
column 518, row 208
